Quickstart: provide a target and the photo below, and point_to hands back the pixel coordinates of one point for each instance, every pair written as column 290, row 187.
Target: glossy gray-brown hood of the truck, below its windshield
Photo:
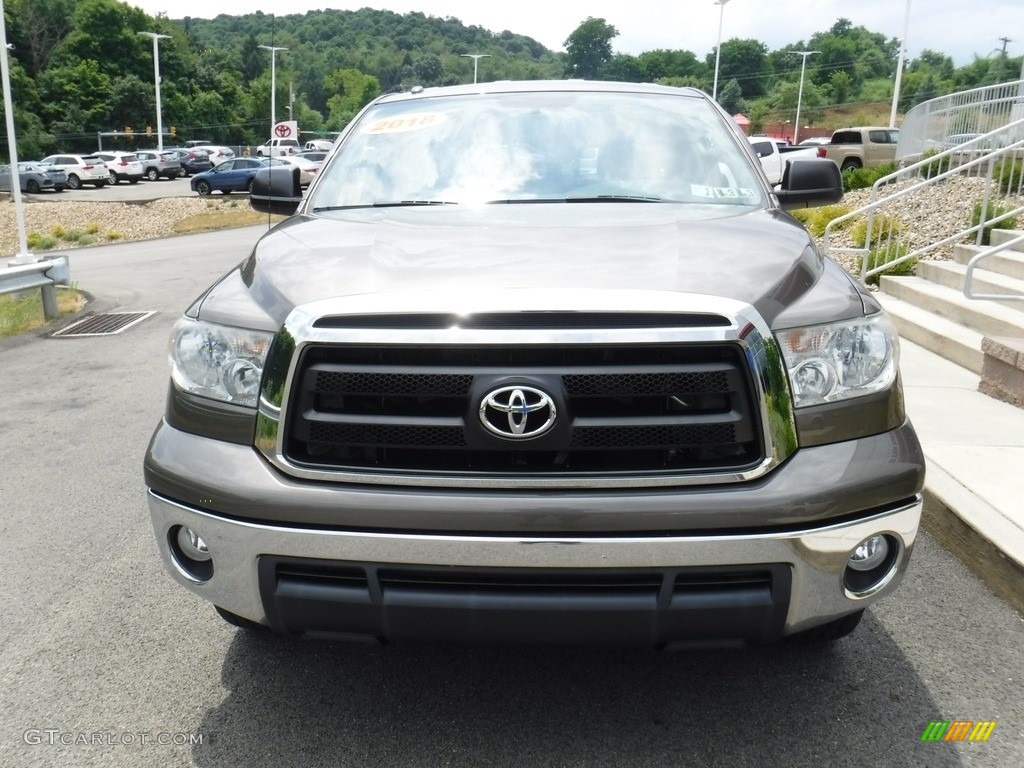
column 763, row 259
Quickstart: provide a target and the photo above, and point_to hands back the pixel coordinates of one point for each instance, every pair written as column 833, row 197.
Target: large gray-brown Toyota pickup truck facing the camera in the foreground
column 541, row 362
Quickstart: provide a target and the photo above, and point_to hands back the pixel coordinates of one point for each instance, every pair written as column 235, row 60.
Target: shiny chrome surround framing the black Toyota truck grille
column 738, row 325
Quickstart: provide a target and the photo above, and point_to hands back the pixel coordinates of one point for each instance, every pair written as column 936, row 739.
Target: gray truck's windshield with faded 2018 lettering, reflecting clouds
column 533, row 147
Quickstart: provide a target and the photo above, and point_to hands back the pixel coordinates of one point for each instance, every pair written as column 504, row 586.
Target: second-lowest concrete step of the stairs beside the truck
column 984, row 317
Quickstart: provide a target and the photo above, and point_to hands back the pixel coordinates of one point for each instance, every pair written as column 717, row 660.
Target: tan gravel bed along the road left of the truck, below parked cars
column 106, row 223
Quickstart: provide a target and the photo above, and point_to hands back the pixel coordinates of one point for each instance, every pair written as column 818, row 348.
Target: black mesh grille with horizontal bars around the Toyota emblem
column 635, row 409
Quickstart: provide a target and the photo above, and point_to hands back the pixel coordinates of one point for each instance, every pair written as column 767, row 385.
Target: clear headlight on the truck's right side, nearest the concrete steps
column 841, row 360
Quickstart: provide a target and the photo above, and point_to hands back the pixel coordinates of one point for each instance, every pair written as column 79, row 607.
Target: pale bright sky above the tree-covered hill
column 956, row 28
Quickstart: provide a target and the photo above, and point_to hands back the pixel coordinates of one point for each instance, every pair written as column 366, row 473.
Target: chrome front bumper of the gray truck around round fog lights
column 817, row 556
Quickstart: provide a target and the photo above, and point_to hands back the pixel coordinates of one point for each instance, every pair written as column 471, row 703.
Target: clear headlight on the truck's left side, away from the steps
column 218, row 362
